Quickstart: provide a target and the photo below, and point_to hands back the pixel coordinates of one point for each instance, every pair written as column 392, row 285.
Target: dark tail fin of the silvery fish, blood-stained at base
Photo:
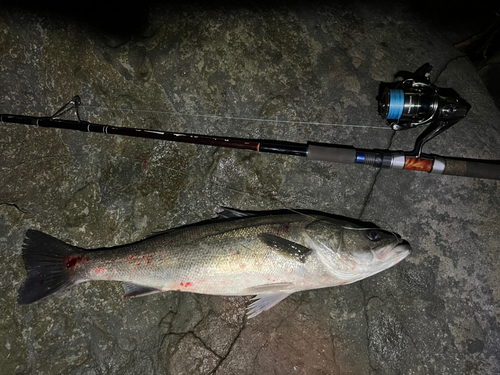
column 48, row 262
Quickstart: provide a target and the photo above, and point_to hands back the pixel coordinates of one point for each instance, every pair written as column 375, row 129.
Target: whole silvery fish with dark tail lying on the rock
column 269, row 256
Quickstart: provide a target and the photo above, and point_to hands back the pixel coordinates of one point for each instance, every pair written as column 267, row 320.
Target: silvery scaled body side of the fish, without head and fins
column 204, row 261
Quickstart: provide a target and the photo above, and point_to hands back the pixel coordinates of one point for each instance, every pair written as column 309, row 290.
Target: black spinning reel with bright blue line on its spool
column 414, row 102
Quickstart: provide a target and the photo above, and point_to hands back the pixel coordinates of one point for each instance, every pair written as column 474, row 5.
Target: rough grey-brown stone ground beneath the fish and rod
column 229, row 70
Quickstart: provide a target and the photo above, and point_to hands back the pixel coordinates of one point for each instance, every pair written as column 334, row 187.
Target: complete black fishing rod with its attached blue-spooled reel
column 405, row 104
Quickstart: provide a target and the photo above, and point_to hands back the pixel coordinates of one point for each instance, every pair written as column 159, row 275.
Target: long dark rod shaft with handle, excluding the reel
column 331, row 153
